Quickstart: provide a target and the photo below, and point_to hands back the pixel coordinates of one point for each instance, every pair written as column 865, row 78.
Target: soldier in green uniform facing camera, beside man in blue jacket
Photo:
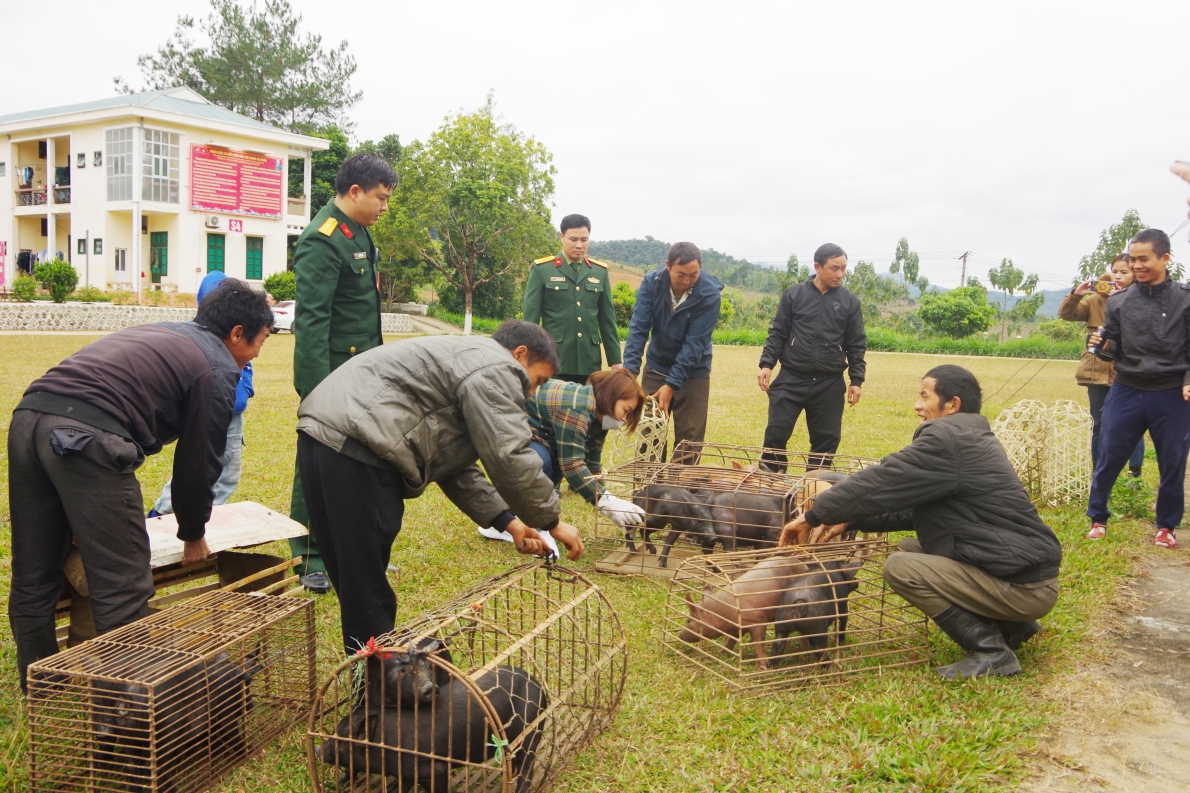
column 571, row 297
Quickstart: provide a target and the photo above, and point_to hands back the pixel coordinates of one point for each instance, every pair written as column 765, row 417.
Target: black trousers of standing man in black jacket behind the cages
column 823, row 399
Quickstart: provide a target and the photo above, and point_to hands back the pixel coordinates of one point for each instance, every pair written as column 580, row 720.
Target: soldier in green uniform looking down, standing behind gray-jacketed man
column 337, row 313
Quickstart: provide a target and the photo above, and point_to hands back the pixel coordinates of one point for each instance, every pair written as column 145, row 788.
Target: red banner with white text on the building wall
column 240, row 183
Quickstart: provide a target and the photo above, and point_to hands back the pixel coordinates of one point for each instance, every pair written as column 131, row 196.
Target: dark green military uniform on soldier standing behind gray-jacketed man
column 337, row 317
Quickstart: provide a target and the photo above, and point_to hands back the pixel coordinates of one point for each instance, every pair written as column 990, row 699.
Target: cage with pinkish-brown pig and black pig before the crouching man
column 817, row 614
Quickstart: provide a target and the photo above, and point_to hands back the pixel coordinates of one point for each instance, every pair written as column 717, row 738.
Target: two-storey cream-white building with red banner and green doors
column 164, row 184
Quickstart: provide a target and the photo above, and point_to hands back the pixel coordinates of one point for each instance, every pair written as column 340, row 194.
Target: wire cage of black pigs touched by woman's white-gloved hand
column 728, row 499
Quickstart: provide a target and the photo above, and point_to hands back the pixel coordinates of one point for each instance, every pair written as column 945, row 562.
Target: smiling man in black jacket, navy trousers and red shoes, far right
column 1147, row 329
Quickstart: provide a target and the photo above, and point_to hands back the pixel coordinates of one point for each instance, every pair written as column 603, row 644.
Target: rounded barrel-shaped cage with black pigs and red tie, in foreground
column 499, row 690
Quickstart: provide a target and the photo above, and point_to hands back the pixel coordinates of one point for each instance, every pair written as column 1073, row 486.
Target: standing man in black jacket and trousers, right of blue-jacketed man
column 817, row 334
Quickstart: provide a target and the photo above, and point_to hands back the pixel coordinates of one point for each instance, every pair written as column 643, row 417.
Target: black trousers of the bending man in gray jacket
column 355, row 515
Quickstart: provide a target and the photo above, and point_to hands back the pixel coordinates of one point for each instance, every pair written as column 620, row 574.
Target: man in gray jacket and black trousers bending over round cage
column 390, row 422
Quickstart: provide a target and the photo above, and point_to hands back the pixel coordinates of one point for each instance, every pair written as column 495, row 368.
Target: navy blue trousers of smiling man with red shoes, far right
column 1128, row 414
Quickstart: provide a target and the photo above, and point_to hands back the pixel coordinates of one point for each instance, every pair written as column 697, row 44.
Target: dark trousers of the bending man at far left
column 70, row 482
